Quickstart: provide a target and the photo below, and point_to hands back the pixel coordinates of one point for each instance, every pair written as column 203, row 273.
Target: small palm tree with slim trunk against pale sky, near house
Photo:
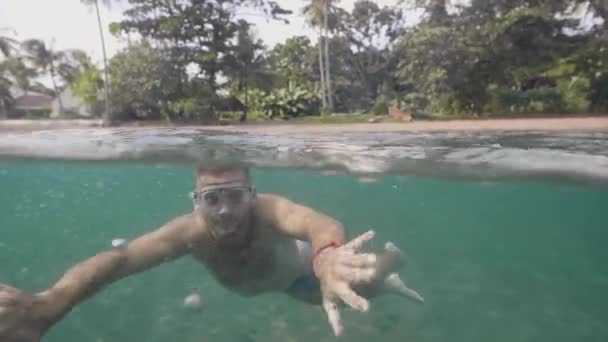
column 46, row 60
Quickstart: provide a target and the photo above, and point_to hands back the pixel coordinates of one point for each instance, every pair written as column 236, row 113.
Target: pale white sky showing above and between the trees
column 68, row 24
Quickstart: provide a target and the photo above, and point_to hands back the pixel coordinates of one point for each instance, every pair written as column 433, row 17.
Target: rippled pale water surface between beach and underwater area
column 560, row 155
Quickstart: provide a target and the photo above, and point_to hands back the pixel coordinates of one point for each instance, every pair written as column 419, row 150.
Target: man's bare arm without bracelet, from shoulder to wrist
column 172, row 240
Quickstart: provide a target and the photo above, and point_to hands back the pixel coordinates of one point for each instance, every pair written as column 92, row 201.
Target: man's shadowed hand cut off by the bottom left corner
column 23, row 317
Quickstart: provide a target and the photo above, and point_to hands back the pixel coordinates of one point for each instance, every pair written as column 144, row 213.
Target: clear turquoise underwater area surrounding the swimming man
column 498, row 259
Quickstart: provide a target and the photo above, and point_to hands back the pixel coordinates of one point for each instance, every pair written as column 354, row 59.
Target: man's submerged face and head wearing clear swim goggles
column 225, row 200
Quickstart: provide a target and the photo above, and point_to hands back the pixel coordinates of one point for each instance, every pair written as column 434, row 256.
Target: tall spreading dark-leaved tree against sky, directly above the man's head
column 199, row 33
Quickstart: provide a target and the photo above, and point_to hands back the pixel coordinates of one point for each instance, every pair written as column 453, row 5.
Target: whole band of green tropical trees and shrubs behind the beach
column 200, row 60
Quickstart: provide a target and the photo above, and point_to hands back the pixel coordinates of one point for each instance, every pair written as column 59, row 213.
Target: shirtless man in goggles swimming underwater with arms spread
column 251, row 244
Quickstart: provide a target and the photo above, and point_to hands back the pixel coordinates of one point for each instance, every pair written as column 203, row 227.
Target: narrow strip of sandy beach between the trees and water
column 590, row 123
